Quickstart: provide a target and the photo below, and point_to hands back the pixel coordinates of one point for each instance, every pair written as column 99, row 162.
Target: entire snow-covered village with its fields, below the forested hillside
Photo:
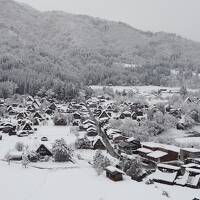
column 106, row 144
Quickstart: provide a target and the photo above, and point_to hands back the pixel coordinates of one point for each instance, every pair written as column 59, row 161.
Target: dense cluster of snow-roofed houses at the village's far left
column 19, row 117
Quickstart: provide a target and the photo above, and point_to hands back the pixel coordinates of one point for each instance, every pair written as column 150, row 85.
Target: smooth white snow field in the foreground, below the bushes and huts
column 79, row 183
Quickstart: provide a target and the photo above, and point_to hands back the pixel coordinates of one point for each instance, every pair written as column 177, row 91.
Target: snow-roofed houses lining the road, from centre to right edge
column 171, row 164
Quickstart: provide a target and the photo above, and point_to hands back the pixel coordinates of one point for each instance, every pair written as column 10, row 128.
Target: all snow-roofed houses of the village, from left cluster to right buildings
column 173, row 165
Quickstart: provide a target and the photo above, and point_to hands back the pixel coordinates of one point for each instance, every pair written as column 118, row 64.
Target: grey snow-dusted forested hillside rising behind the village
column 55, row 52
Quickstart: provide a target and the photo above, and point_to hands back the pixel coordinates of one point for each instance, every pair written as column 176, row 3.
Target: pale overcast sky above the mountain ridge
column 177, row 16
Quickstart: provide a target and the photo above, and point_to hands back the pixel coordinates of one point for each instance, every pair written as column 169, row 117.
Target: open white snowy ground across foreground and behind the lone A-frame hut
column 78, row 181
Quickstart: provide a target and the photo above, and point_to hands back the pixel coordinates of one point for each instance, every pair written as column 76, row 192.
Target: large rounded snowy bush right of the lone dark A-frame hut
column 61, row 151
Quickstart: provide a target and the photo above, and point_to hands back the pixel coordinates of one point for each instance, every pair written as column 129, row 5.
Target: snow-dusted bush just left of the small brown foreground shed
column 100, row 162
